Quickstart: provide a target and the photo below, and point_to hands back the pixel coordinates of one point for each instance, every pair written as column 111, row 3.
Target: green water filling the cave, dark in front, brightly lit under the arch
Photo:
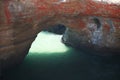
column 54, row 61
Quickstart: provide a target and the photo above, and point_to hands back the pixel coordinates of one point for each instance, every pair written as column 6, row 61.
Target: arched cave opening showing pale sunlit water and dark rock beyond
column 49, row 40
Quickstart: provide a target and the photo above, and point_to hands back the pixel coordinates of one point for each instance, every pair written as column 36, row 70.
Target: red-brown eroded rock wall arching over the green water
column 89, row 23
